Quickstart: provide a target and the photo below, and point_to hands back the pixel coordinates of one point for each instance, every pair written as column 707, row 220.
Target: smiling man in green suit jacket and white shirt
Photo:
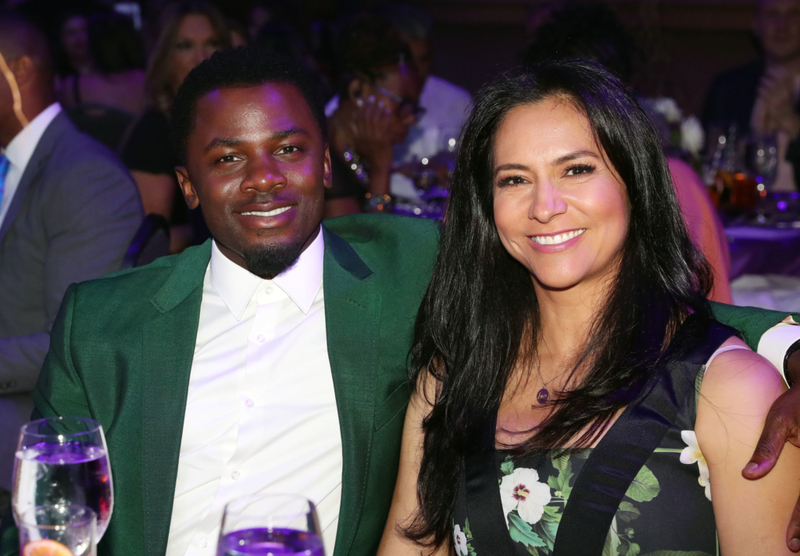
column 271, row 359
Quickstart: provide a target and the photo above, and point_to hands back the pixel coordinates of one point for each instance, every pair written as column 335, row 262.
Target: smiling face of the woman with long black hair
column 560, row 208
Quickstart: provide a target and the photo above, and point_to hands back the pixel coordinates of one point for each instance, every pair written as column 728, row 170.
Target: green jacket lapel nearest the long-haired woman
column 352, row 317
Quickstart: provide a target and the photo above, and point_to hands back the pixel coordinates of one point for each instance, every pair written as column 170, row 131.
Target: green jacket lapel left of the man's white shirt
column 167, row 351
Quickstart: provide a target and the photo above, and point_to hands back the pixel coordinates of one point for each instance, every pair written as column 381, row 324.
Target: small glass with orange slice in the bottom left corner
column 58, row 531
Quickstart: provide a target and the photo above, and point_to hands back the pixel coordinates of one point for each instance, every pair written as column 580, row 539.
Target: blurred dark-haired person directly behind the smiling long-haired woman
column 592, row 30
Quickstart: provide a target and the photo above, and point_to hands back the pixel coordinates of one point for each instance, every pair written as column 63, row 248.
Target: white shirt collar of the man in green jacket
column 300, row 282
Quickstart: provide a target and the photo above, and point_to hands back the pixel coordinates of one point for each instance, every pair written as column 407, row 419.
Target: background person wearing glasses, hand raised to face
column 379, row 87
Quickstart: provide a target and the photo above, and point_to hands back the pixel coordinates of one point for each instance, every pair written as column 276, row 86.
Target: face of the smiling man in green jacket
column 257, row 165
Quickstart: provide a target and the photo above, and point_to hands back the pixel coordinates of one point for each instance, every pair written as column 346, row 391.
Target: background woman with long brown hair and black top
column 190, row 31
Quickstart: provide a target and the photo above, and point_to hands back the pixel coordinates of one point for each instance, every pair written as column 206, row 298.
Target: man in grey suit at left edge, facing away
column 68, row 211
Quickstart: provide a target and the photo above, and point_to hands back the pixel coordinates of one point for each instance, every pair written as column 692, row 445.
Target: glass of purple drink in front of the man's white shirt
column 274, row 524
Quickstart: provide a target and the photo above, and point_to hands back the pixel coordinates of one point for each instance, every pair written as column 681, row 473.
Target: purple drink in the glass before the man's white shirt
column 270, row 542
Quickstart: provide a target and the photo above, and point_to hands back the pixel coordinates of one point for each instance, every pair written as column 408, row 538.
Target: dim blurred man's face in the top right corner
column 778, row 27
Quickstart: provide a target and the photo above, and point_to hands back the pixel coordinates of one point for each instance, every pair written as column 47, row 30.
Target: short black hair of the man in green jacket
column 240, row 67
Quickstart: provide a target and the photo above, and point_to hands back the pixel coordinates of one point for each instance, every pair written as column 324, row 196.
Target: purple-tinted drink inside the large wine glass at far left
column 73, row 473
